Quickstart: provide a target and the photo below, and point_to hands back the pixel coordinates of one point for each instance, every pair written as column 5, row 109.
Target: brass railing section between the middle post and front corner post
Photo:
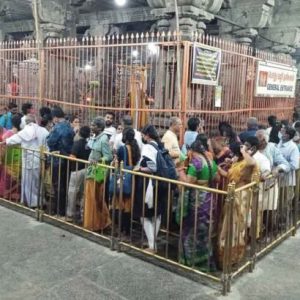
column 179, row 226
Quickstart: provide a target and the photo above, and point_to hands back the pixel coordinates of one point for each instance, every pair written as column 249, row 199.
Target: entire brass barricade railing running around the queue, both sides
column 201, row 231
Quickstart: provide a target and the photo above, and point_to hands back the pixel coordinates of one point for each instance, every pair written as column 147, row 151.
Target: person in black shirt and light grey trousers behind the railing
column 81, row 151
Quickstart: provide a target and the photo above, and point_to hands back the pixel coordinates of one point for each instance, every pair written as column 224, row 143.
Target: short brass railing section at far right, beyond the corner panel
column 277, row 210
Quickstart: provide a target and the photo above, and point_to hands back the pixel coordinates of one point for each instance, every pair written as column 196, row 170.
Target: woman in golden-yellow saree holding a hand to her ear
column 241, row 171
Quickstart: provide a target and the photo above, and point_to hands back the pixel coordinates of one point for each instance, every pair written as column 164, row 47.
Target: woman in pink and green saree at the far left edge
column 11, row 165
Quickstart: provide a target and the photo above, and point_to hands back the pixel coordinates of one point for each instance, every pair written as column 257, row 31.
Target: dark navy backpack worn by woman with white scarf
column 165, row 165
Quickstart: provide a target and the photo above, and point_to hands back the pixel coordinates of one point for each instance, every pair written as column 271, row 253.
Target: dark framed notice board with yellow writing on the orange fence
column 206, row 64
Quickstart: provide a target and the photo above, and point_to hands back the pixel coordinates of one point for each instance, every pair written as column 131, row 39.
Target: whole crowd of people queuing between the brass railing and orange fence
column 208, row 159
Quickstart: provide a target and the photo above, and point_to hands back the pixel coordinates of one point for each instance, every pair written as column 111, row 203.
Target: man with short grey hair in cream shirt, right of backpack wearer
column 170, row 138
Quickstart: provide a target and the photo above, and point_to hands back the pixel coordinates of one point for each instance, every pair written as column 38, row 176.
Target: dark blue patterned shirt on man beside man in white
column 61, row 138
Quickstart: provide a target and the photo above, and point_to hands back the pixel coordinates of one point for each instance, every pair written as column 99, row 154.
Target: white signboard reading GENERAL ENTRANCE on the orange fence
column 275, row 80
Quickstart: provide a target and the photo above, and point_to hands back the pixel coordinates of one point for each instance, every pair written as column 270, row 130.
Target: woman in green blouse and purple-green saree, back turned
column 195, row 209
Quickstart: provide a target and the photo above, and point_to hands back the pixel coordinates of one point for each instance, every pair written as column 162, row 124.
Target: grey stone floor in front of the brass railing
column 39, row 261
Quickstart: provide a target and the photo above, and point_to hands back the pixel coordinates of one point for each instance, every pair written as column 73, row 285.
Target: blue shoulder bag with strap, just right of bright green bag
column 115, row 179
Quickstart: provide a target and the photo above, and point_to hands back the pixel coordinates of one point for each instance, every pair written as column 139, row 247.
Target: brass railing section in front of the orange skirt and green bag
column 76, row 192
